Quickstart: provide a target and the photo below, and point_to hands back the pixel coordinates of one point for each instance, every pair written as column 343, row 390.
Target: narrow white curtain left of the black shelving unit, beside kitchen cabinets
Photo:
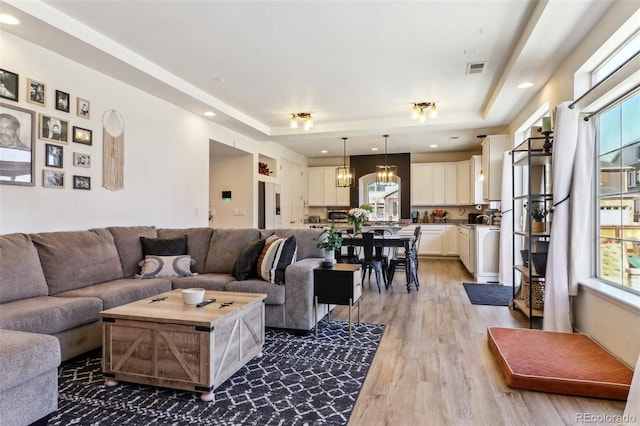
column 505, row 272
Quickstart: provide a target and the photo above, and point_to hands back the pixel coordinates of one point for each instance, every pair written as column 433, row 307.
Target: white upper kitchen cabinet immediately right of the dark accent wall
column 434, row 184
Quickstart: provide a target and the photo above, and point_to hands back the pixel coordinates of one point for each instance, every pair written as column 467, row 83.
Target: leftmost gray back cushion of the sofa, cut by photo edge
column 21, row 275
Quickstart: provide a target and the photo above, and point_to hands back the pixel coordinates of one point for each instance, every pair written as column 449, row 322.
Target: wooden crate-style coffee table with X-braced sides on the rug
column 167, row 343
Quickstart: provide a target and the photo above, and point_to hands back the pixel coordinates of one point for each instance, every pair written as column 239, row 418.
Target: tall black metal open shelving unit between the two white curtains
column 533, row 158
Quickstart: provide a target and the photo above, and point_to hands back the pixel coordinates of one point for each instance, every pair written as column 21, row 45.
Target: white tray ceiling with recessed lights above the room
column 357, row 66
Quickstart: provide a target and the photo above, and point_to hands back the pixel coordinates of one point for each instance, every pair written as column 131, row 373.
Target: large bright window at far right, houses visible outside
column 619, row 193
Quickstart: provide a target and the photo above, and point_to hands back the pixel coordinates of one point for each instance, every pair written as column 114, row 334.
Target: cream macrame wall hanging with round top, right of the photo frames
column 112, row 150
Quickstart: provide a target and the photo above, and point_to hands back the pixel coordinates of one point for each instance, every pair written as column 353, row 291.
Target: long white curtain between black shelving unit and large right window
column 557, row 313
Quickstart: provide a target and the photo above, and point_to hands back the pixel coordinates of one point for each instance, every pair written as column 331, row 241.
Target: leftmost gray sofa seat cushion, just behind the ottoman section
column 49, row 314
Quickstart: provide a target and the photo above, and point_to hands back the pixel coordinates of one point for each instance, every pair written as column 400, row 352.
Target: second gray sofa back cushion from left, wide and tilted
column 77, row 259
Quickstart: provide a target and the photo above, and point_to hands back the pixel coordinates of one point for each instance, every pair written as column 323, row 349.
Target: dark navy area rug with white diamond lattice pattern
column 300, row 380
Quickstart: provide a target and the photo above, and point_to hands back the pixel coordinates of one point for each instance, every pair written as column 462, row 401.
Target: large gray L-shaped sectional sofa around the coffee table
column 56, row 284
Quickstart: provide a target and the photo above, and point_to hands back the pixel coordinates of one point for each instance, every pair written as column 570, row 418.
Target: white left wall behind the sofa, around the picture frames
column 166, row 176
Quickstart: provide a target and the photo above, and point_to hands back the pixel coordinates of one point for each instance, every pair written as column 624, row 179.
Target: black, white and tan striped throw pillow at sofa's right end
column 277, row 254
